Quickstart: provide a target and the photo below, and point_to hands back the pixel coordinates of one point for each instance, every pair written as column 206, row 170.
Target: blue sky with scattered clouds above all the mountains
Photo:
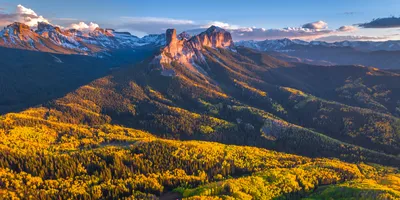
column 330, row 20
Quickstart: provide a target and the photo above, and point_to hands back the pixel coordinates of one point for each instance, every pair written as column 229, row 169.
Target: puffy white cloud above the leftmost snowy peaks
column 23, row 15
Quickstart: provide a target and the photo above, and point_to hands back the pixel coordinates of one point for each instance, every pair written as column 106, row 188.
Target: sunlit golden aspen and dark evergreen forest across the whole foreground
column 46, row 160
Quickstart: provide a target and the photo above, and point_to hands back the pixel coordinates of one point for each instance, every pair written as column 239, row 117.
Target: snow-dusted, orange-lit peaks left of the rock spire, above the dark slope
column 48, row 38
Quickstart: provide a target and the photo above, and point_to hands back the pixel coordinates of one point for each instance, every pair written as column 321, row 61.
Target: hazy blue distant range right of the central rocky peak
column 377, row 54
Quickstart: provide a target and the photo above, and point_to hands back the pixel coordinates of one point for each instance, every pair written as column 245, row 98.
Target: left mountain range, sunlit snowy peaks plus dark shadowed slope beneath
column 47, row 63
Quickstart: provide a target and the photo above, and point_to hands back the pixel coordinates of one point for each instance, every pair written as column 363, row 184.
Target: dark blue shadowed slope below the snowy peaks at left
column 29, row 78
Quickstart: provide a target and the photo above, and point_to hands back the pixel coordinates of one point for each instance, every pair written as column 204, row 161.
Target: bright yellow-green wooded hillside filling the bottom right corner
column 318, row 180
